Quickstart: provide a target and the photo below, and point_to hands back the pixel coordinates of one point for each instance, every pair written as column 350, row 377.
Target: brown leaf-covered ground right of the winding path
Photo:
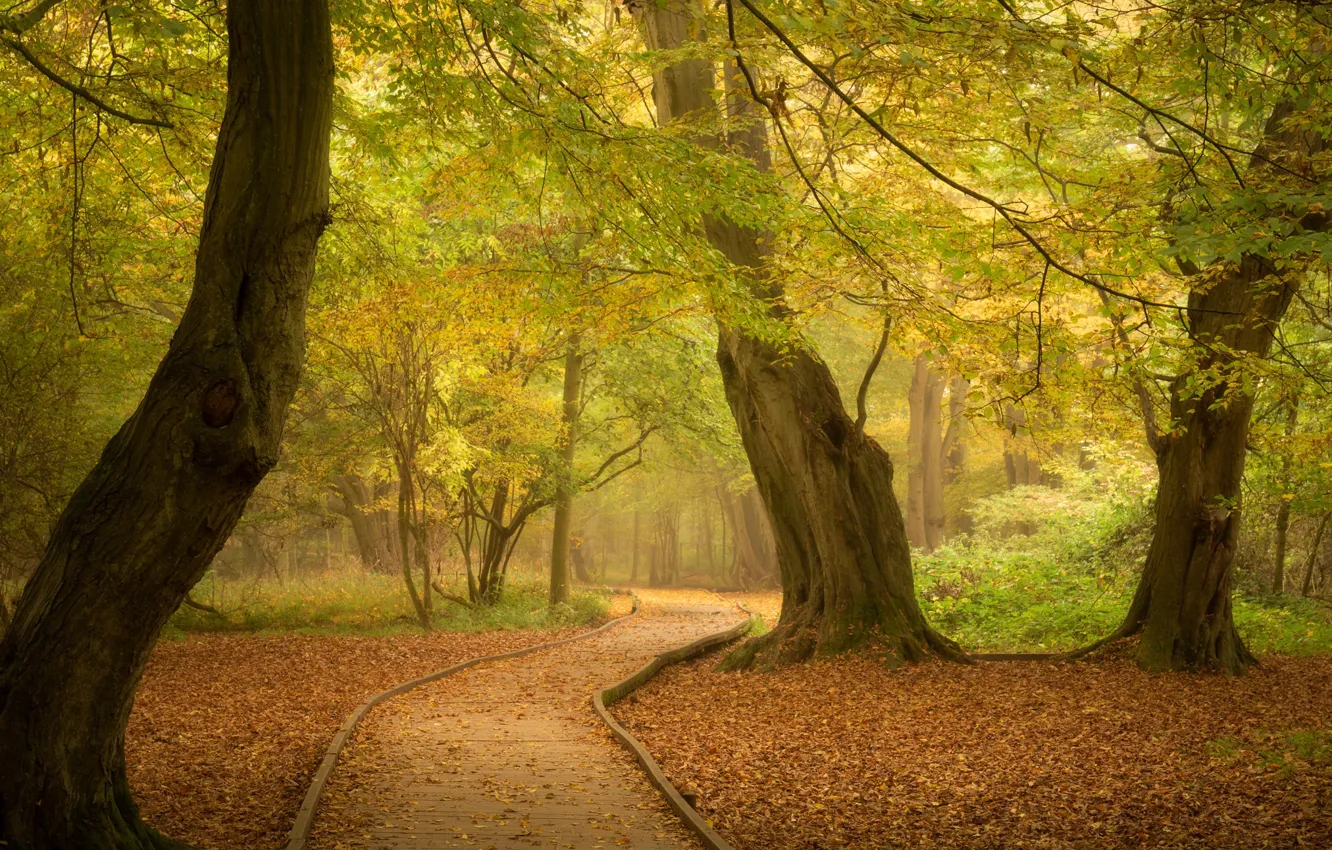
column 844, row 753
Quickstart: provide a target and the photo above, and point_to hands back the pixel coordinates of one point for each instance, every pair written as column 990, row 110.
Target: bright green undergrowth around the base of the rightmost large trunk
column 1054, row 570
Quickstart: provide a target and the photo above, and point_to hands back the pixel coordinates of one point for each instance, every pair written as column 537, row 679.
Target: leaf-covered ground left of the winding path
column 227, row 731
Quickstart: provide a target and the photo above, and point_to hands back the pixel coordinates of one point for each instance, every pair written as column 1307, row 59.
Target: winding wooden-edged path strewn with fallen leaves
column 511, row 755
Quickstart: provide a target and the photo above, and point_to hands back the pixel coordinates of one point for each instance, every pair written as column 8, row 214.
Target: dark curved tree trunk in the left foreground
column 170, row 487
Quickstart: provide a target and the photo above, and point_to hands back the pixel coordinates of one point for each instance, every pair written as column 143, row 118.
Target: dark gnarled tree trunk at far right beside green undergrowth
column 1183, row 602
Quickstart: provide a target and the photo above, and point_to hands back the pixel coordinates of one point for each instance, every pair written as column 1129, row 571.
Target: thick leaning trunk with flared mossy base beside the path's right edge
column 841, row 542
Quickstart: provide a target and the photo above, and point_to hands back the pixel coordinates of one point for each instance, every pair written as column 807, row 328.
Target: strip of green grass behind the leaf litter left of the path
column 359, row 603
